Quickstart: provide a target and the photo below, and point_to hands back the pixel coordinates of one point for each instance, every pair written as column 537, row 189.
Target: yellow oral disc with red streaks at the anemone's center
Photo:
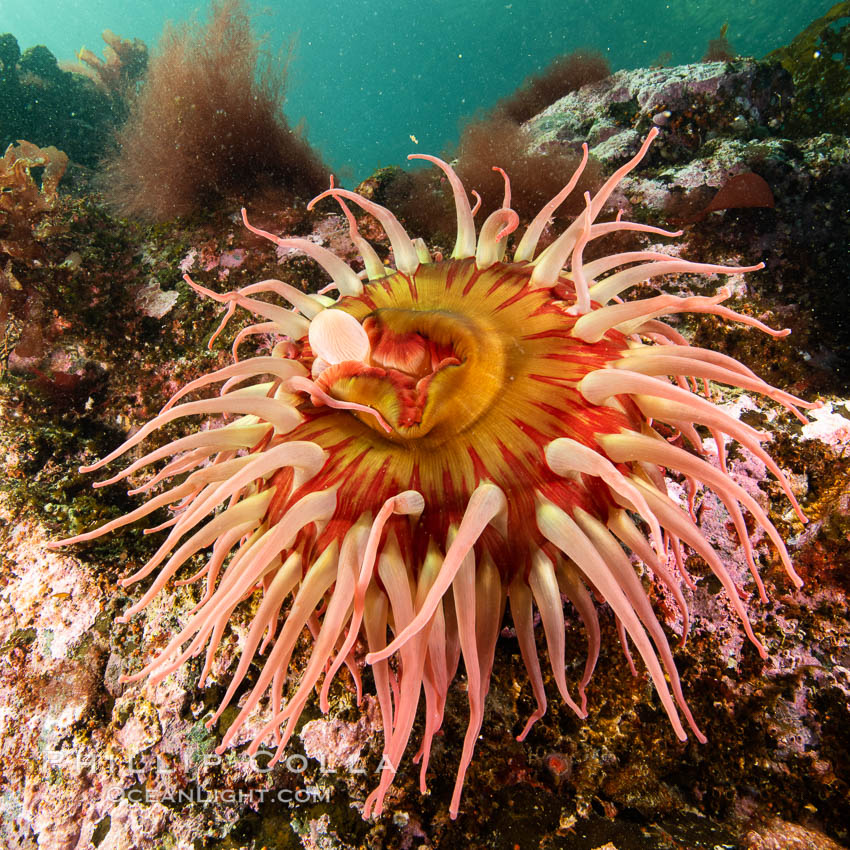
column 473, row 370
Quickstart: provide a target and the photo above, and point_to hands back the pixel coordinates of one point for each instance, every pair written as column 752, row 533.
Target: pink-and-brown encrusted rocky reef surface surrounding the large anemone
column 88, row 762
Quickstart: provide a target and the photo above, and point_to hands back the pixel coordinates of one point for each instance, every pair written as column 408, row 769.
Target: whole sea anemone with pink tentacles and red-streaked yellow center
column 446, row 436
